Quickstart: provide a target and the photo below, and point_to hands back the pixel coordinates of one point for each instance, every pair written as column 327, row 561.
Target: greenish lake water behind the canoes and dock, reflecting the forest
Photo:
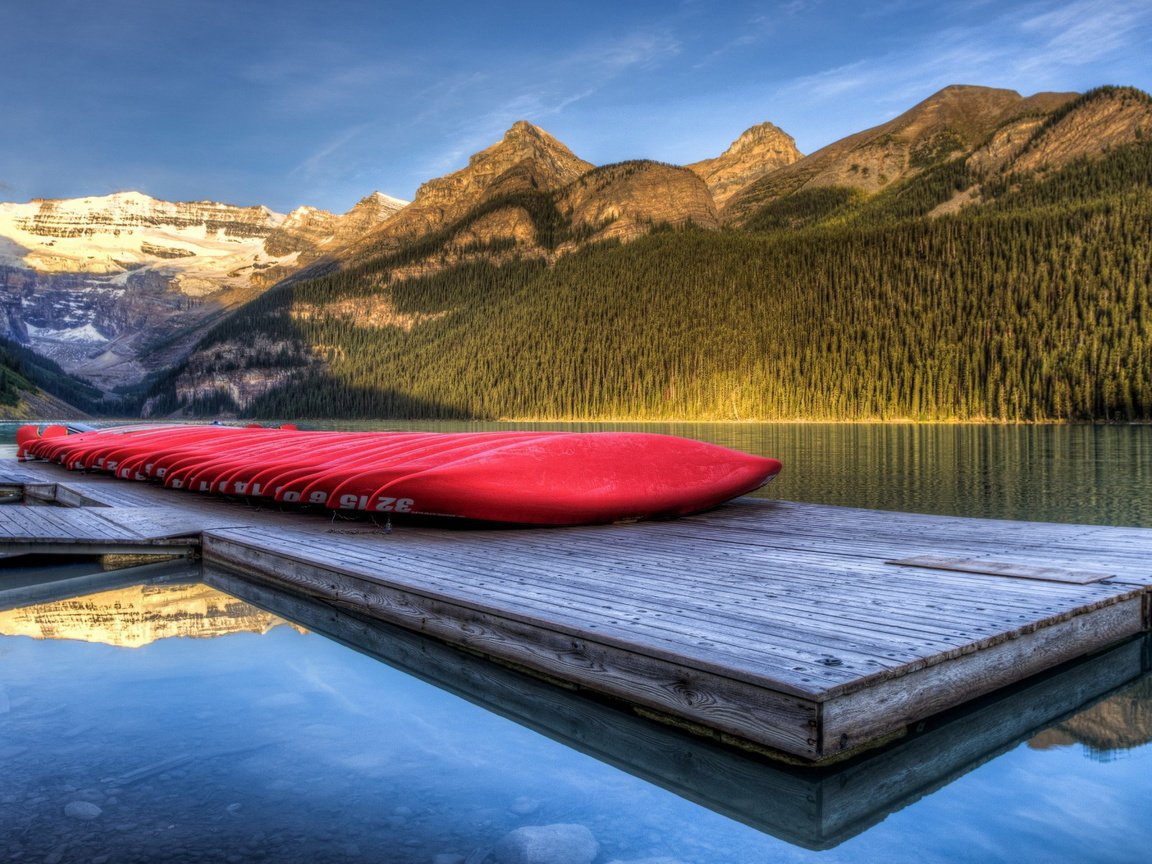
column 1095, row 475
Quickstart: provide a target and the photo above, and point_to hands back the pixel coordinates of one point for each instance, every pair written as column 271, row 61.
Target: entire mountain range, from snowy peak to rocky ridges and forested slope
column 207, row 308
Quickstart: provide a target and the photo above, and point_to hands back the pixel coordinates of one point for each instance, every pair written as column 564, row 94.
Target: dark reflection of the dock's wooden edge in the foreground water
column 815, row 809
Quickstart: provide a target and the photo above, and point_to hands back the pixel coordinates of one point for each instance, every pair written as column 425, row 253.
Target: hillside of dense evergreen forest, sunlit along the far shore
column 830, row 305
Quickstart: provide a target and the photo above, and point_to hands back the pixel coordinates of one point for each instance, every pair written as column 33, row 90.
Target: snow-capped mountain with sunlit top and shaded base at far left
column 115, row 286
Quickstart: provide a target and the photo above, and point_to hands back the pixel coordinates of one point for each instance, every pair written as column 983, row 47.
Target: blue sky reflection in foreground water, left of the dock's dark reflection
column 281, row 747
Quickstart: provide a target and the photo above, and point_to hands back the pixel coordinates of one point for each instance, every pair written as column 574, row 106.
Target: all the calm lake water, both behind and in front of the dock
column 177, row 723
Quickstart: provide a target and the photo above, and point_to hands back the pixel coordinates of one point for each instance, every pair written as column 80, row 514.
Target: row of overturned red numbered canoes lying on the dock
column 555, row 479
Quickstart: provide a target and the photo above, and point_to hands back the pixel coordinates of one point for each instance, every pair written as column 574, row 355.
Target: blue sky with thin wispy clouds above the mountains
column 320, row 103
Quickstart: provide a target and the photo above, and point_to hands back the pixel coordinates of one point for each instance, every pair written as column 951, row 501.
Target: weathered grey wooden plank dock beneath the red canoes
column 808, row 632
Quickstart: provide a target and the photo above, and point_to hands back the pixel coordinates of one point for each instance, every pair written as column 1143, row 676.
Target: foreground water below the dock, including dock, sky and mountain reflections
column 290, row 748
